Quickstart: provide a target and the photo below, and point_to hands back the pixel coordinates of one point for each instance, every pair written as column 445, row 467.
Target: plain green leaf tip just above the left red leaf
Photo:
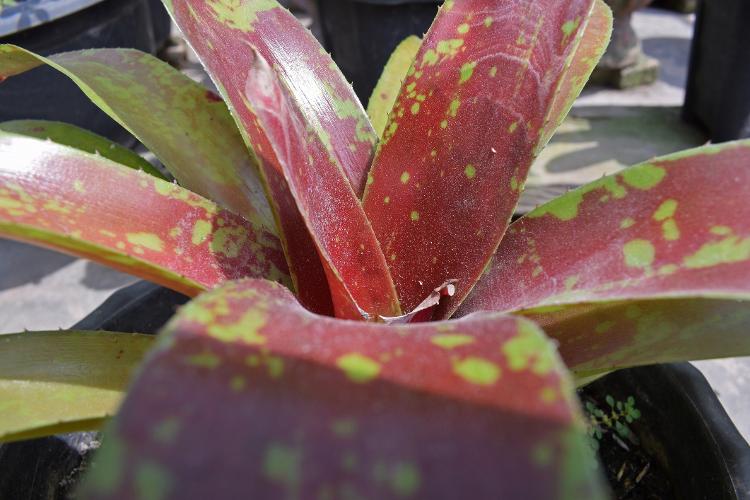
column 78, row 138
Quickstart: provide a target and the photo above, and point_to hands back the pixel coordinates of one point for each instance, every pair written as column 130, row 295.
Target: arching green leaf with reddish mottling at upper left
column 185, row 125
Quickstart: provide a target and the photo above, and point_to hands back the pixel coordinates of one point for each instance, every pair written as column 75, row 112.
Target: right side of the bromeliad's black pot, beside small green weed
column 684, row 426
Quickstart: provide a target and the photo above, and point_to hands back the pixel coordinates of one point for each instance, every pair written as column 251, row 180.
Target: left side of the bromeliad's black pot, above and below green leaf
column 48, row 468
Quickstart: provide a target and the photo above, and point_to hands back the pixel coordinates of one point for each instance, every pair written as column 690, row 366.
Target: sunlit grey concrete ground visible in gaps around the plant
column 607, row 130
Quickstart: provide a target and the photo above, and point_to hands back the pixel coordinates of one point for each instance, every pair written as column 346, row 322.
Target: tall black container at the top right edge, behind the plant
column 717, row 97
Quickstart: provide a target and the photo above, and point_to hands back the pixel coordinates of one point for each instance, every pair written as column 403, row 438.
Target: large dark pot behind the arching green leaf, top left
column 44, row 93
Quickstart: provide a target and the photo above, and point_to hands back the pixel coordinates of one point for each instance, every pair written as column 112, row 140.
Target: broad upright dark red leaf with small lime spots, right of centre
column 457, row 149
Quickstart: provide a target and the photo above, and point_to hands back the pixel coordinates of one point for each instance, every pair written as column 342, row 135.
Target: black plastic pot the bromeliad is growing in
column 702, row 451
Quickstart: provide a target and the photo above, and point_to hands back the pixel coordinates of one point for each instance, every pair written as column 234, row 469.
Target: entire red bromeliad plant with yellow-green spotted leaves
column 323, row 361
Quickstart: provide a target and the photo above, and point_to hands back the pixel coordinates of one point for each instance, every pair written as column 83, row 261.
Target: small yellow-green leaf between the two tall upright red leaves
column 386, row 91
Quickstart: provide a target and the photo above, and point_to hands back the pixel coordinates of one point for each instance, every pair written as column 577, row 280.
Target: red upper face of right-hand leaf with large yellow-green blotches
column 675, row 226
